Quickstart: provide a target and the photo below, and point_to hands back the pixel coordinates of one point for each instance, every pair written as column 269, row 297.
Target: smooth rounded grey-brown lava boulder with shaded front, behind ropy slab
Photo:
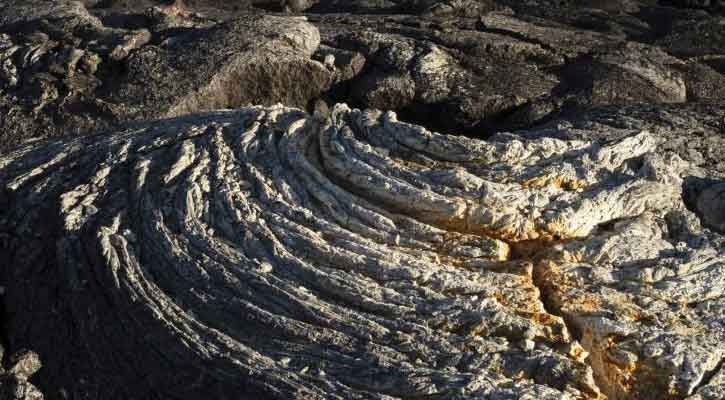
column 261, row 60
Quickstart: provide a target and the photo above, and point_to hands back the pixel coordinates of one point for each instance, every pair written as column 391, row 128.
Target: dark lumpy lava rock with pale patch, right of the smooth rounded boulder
column 427, row 76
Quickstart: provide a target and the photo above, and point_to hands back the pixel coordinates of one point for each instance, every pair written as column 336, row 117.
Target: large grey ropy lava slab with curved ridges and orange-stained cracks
column 266, row 253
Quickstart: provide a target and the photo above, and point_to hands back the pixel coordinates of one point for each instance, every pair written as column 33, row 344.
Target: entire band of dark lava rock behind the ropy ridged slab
column 487, row 66
